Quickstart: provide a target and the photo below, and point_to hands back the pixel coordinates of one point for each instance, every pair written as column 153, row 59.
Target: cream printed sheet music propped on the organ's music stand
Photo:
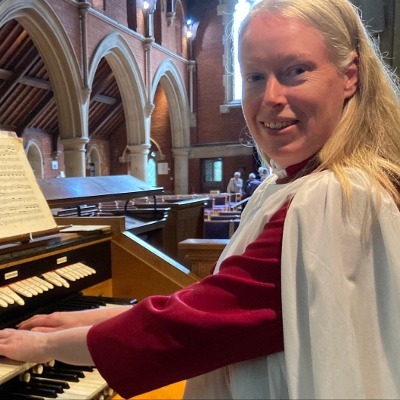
column 23, row 208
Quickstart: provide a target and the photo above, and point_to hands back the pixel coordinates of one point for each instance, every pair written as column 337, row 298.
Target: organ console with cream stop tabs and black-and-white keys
column 43, row 278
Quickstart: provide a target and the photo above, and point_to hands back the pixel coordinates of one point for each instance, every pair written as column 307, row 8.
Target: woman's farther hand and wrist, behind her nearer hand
column 64, row 320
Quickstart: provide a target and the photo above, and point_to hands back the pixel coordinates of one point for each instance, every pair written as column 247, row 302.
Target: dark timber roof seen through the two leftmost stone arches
column 26, row 95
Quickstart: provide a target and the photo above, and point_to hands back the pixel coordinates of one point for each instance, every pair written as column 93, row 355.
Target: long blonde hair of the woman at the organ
column 368, row 134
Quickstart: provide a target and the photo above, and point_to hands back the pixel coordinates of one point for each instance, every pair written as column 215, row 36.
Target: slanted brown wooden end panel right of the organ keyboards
column 140, row 270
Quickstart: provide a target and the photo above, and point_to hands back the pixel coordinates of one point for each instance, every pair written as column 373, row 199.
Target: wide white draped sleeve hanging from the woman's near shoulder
column 341, row 293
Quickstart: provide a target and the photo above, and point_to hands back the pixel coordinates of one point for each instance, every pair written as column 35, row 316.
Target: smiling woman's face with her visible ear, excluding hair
column 293, row 95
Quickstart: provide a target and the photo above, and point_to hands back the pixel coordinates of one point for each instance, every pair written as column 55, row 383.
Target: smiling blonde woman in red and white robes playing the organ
column 304, row 300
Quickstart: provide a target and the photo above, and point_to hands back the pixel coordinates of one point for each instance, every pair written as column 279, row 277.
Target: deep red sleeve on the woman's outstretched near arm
column 226, row 318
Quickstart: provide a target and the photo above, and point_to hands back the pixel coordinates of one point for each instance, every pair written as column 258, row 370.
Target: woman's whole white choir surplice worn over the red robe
column 340, row 295
